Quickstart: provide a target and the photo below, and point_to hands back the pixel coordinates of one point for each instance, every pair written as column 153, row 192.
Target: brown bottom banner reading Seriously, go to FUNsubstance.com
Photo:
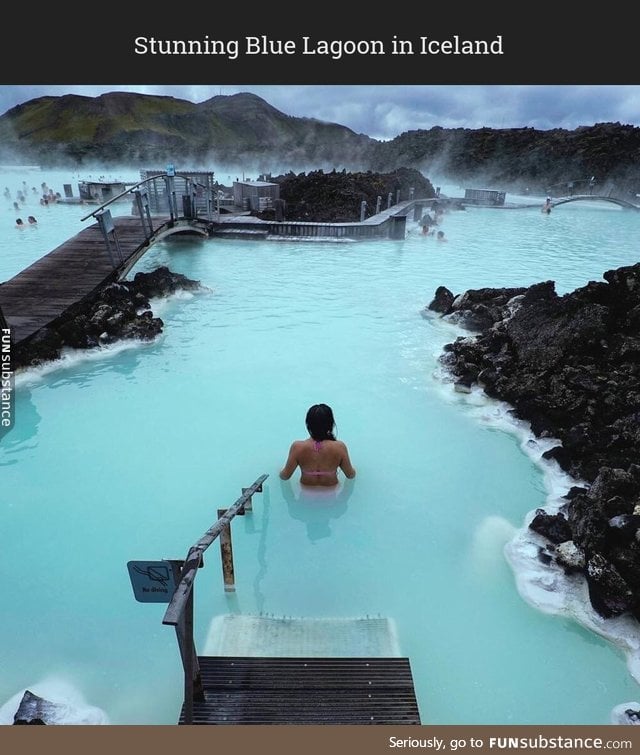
column 309, row 740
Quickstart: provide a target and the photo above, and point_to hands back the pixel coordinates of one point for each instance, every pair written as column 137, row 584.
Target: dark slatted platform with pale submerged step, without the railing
column 268, row 670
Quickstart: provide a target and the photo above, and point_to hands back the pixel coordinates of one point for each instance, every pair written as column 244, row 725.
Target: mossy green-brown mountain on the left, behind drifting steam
column 122, row 128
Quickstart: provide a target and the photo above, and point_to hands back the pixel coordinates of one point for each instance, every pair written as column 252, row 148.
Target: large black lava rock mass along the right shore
column 570, row 365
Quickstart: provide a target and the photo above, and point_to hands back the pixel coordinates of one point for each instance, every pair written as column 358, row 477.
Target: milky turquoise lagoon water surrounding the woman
column 128, row 453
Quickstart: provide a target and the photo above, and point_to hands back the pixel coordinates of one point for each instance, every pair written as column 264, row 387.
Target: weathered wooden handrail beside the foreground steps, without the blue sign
column 179, row 613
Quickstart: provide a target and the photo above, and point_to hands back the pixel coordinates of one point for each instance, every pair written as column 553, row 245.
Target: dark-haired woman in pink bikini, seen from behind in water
column 320, row 455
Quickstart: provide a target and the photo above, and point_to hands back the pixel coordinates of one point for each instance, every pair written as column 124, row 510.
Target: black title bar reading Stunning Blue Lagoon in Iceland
column 532, row 45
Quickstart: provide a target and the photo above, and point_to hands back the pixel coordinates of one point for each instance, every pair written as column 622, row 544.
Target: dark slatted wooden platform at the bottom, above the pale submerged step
column 244, row 690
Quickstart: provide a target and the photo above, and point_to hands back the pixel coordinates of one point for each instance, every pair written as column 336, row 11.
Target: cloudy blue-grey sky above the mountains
column 383, row 112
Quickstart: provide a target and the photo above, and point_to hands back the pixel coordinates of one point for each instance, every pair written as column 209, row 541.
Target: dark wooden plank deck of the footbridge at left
column 42, row 292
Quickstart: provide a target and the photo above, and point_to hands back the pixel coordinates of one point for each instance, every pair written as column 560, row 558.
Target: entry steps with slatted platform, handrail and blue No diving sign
column 268, row 670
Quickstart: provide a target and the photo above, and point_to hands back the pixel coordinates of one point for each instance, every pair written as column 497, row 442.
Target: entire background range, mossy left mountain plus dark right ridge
column 244, row 131
